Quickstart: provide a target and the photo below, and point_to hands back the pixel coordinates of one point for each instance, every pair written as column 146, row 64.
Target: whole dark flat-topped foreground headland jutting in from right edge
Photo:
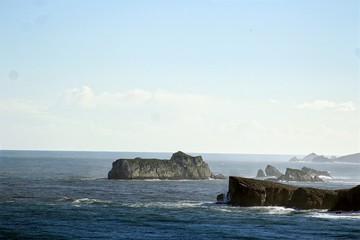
column 247, row 192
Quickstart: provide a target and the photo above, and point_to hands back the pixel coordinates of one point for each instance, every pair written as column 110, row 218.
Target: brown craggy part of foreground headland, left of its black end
column 248, row 192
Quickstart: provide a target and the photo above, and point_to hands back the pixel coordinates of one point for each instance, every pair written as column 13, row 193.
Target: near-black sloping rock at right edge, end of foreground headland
column 348, row 200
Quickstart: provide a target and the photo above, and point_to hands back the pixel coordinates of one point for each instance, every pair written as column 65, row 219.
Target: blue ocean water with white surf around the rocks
column 66, row 195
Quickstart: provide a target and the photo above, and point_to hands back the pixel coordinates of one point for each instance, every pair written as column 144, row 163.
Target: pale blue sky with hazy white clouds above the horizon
column 217, row 76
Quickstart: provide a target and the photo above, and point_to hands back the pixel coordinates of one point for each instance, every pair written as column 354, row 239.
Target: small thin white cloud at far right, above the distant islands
column 325, row 104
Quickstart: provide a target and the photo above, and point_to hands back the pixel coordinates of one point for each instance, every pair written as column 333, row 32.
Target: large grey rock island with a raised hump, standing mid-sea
column 180, row 166
